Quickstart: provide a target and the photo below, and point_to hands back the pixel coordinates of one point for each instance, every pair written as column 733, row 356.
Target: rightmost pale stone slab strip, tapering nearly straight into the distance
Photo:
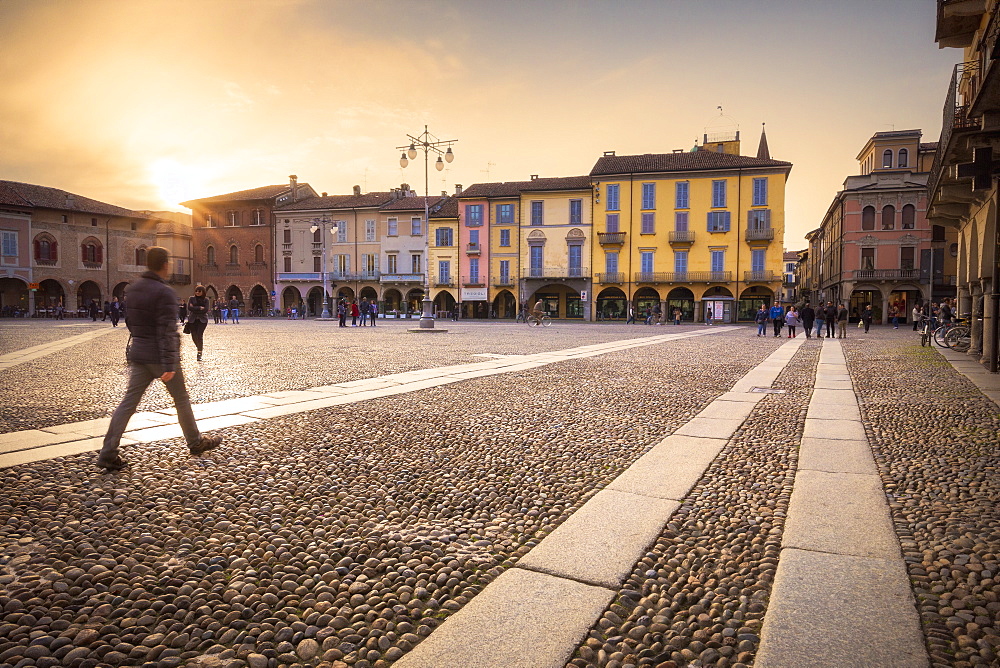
column 841, row 594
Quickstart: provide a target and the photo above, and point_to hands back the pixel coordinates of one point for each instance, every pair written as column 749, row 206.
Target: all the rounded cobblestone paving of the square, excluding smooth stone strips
column 343, row 536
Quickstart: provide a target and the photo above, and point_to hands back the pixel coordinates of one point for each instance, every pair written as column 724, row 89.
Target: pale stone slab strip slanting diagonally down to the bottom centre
column 534, row 614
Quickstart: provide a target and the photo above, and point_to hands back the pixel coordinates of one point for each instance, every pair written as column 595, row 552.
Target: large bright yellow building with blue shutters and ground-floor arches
column 701, row 231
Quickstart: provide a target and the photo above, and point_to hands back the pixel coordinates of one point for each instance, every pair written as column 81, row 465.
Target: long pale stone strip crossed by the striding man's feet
column 22, row 447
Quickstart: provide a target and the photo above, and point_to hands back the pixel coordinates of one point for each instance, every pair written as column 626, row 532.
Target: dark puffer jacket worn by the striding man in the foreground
column 152, row 320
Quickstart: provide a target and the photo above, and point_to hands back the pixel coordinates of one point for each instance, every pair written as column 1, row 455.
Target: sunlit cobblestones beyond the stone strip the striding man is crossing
column 256, row 357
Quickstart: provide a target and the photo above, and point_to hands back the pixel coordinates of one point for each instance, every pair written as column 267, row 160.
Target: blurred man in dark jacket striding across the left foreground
column 154, row 353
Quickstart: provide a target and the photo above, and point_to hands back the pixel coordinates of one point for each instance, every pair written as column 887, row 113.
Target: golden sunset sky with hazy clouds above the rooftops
column 145, row 104
